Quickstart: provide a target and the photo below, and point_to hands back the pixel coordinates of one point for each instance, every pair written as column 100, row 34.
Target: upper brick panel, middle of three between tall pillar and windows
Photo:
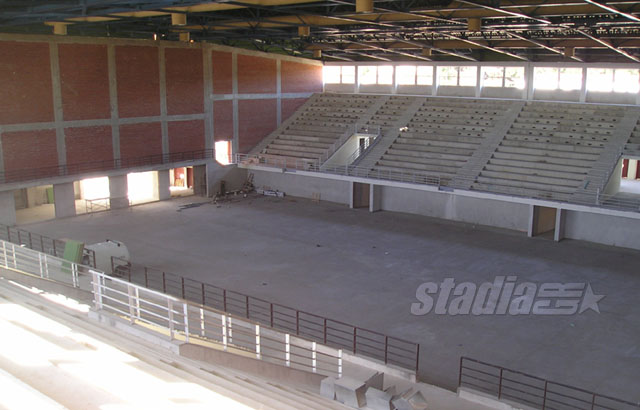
column 256, row 75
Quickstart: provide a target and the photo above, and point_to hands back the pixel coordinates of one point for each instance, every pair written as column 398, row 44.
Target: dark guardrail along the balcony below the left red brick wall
column 96, row 166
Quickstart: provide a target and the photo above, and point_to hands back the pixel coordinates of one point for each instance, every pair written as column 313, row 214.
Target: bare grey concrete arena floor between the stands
column 364, row 269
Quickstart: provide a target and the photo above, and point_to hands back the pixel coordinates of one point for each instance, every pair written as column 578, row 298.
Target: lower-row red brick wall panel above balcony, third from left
column 139, row 140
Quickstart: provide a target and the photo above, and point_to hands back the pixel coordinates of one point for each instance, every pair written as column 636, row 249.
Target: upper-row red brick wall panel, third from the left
column 138, row 79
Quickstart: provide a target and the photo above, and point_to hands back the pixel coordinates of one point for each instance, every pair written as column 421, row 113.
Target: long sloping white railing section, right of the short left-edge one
column 185, row 320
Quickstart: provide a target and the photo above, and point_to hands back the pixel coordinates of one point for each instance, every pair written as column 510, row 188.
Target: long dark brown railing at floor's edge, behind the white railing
column 391, row 350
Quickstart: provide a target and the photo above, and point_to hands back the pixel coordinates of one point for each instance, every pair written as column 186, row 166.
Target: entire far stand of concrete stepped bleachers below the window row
column 544, row 150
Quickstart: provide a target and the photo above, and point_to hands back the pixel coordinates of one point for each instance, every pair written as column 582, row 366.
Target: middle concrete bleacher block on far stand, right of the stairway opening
column 441, row 137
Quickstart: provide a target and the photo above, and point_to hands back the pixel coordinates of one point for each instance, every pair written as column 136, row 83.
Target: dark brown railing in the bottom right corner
column 533, row 391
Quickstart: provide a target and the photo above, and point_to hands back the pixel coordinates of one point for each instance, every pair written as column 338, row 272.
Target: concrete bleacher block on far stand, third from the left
column 549, row 150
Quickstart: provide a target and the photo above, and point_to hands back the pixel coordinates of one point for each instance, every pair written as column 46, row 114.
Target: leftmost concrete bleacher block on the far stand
column 319, row 125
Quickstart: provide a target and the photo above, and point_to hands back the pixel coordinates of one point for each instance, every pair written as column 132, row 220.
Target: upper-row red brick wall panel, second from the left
column 84, row 81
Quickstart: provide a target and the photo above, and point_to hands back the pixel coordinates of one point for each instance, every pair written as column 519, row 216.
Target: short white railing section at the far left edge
column 23, row 259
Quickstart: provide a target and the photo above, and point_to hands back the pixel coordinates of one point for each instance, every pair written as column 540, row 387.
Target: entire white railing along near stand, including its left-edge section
column 177, row 318
